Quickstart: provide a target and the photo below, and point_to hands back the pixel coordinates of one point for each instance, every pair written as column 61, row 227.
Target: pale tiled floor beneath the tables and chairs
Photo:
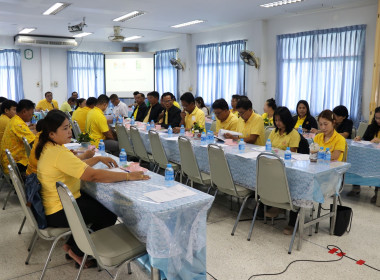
column 228, row 257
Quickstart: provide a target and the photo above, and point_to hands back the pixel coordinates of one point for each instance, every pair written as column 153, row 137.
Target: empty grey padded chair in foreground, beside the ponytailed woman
column 112, row 247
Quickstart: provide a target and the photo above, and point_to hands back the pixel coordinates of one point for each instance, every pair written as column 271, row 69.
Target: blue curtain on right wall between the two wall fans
column 220, row 71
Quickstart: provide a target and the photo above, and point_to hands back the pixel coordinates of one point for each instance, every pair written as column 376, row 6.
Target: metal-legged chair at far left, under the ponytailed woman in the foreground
column 50, row 234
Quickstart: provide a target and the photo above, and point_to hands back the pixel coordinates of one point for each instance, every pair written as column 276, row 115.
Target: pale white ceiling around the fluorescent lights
column 155, row 24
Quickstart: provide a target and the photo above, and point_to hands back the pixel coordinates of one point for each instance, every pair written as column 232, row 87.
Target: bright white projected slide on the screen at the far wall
column 126, row 73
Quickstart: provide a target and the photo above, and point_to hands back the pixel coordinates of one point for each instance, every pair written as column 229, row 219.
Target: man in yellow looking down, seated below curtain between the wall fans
column 224, row 118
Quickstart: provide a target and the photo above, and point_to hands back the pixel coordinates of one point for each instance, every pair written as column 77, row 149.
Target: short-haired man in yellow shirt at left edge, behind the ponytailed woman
column 15, row 130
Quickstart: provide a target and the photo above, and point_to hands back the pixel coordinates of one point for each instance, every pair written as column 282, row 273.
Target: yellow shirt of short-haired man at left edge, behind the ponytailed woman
column 12, row 140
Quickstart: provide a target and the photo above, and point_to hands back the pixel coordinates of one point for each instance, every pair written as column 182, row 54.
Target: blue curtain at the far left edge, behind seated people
column 11, row 86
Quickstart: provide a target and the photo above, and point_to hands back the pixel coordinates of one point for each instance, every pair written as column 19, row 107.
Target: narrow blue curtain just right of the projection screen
column 166, row 74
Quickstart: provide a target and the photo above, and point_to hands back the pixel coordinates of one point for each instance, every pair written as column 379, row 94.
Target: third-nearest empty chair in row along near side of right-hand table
column 189, row 165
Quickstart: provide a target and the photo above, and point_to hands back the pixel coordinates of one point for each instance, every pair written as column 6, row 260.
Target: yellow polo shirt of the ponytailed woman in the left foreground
column 57, row 163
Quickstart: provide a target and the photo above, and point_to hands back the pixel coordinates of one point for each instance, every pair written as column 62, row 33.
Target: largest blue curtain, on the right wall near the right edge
column 324, row 67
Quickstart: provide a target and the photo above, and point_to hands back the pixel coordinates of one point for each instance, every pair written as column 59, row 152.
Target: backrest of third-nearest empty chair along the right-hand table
column 189, row 164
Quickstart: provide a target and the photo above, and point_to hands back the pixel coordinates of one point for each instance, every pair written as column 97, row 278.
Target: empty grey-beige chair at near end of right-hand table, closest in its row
column 272, row 188
